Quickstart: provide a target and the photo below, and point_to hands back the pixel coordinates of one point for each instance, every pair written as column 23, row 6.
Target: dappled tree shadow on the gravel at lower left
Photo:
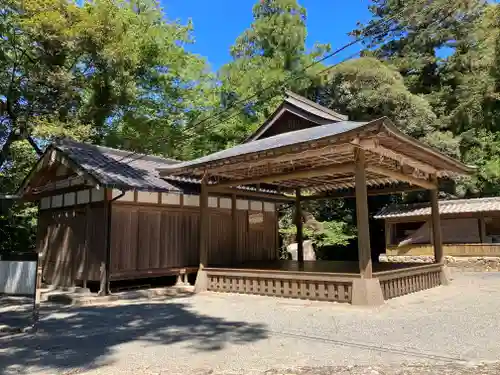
column 84, row 337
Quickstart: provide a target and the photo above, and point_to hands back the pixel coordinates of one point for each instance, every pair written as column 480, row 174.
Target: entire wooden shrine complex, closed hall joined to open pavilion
column 107, row 214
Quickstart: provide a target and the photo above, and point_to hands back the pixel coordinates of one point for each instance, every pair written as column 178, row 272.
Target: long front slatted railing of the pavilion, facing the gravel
column 304, row 285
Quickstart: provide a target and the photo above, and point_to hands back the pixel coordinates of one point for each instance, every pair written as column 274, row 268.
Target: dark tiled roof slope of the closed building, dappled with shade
column 121, row 169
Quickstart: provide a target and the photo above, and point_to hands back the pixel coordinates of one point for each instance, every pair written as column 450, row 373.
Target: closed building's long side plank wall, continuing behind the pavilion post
column 148, row 240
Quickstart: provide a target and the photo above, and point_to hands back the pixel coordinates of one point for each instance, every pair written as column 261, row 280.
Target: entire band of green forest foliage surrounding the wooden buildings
column 117, row 72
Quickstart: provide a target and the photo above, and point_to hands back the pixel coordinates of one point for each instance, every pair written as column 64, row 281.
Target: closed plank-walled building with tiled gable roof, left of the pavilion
column 106, row 215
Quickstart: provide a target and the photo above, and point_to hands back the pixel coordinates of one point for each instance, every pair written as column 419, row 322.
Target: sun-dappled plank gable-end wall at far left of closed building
column 72, row 243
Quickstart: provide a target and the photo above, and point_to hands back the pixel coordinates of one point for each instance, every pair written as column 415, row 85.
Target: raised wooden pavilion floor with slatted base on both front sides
column 319, row 280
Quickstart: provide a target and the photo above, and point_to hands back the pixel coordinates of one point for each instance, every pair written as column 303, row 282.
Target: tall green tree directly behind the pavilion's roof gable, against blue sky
column 265, row 56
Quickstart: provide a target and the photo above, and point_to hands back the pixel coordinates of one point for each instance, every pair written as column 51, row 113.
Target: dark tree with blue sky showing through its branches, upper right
column 413, row 35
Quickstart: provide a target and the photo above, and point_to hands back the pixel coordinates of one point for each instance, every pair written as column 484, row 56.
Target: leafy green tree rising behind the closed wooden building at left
column 113, row 72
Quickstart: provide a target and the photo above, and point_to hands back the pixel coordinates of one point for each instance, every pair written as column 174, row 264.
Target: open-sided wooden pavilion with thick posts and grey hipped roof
column 325, row 157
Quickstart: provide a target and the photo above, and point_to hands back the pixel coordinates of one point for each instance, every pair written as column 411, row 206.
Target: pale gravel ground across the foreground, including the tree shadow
column 446, row 330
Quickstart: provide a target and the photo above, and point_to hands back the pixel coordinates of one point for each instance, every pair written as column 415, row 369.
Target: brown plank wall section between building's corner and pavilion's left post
column 148, row 240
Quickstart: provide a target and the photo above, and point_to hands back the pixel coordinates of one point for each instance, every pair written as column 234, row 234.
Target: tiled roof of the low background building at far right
column 445, row 207
